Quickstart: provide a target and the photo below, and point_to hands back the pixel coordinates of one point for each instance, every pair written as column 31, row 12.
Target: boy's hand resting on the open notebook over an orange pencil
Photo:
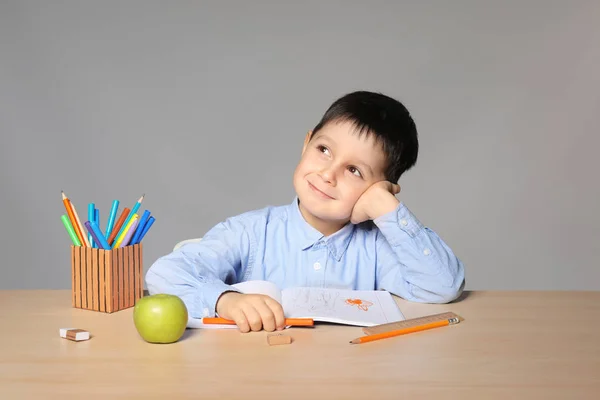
column 251, row 311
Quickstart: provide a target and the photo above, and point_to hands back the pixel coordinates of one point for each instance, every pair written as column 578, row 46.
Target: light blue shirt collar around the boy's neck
column 308, row 236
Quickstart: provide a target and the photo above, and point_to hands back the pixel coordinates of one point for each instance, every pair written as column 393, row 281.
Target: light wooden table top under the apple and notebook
column 511, row 345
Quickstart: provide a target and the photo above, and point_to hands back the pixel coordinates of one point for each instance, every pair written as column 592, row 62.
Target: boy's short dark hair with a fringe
column 382, row 116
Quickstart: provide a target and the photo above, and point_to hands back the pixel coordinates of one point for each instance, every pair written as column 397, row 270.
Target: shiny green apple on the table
column 160, row 318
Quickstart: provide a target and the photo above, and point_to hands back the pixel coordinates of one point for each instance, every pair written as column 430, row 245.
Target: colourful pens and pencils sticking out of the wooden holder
column 129, row 228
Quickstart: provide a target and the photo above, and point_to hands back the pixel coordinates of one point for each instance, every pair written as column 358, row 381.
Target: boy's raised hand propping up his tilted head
column 377, row 200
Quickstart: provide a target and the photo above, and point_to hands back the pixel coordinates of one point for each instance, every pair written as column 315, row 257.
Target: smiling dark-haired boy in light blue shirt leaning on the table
column 344, row 229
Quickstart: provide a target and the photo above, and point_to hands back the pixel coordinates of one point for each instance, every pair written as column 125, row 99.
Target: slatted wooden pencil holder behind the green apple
column 106, row 280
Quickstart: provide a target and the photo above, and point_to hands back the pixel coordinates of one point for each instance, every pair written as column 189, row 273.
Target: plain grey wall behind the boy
column 203, row 106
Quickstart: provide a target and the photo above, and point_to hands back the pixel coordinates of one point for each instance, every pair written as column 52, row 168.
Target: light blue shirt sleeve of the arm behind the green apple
column 199, row 273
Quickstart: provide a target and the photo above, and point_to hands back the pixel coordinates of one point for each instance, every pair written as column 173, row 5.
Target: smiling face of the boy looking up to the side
column 336, row 168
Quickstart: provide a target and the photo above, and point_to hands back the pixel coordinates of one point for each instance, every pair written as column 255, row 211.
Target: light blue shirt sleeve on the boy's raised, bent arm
column 413, row 262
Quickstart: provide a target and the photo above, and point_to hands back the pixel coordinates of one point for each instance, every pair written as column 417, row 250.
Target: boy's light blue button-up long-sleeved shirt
column 395, row 252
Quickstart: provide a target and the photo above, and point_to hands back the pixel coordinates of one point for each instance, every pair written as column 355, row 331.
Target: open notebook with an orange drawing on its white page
column 341, row 306
